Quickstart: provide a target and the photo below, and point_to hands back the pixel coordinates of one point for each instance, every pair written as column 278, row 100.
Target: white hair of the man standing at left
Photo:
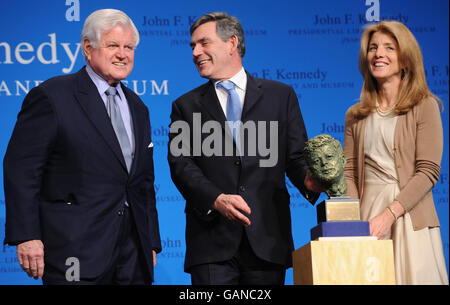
column 102, row 21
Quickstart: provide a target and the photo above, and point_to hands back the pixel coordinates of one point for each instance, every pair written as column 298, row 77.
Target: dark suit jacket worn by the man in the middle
column 201, row 179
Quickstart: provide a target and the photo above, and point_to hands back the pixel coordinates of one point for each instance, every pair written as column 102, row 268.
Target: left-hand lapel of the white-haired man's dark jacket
column 92, row 104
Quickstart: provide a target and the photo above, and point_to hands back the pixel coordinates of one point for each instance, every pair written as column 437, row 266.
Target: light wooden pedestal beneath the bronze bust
column 345, row 261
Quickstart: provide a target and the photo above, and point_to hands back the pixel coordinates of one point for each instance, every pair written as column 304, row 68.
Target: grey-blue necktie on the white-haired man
column 116, row 120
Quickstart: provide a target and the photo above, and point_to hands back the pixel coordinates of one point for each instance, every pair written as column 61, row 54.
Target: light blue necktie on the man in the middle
column 234, row 109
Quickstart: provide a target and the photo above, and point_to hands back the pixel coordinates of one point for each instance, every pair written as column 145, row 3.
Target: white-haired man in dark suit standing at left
column 78, row 170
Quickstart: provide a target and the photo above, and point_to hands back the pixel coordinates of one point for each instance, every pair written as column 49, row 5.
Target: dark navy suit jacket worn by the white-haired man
column 66, row 179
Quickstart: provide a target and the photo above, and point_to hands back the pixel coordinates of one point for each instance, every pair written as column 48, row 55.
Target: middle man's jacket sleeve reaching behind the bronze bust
column 297, row 136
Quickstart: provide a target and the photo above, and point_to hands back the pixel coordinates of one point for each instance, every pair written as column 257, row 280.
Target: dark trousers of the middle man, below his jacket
column 245, row 268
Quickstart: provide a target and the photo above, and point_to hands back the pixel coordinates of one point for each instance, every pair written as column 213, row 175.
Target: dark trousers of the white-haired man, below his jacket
column 128, row 265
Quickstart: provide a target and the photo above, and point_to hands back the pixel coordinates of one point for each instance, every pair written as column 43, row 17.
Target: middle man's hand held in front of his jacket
column 231, row 207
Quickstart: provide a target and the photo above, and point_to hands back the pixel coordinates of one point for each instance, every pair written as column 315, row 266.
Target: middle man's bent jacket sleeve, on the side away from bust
column 186, row 174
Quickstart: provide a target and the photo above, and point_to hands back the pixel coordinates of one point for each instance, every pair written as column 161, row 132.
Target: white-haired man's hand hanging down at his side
column 31, row 258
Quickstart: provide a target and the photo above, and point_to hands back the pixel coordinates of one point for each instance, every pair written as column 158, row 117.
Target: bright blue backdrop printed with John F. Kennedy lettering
column 311, row 45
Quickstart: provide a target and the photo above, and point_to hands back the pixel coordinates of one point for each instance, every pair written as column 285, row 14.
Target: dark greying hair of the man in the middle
column 226, row 26
